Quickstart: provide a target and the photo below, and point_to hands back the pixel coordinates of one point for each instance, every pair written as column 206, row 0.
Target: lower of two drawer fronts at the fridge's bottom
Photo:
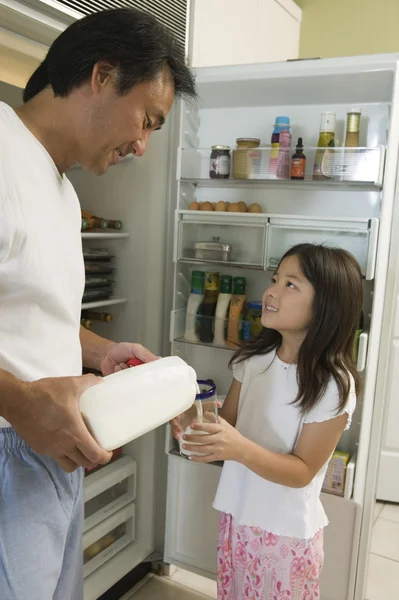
column 108, row 538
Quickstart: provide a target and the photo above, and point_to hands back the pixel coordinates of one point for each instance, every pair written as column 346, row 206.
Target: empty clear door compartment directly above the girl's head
column 357, row 236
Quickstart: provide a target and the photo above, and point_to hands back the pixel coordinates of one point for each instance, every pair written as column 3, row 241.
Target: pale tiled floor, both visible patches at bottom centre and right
column 383, row 575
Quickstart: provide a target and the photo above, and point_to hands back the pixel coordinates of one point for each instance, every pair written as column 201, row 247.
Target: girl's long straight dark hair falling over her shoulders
column 327, row 350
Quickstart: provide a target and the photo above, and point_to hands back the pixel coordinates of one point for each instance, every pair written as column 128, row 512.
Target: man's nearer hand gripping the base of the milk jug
column 46, row 415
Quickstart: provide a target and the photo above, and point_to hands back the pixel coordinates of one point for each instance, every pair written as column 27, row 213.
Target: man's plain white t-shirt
column 41, row 262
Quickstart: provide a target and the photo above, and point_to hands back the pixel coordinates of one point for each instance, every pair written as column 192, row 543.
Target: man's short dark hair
column 133, row 41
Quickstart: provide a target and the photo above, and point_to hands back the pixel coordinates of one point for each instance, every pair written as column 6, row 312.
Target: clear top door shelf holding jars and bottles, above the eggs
column 337, row 165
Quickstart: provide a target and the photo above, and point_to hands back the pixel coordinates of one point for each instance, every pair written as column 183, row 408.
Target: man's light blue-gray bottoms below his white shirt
column 41, row 522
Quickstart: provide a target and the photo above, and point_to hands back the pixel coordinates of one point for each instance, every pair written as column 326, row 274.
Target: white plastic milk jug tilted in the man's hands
column 128, row 404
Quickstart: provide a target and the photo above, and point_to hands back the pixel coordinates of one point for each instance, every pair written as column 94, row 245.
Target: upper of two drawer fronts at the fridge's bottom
column 109, row 490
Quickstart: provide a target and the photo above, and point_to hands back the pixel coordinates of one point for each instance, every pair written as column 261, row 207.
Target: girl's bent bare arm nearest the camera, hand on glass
column 315, row 445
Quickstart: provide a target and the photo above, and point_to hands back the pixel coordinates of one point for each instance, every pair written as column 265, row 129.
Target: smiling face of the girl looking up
column 288, row 301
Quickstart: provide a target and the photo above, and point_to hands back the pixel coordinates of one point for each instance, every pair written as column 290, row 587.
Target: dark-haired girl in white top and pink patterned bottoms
column 293, row 394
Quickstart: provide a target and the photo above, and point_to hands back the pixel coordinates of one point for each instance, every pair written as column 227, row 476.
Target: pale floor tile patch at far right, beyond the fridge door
column 383, row 575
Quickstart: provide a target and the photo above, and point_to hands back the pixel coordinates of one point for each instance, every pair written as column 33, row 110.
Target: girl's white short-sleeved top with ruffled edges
column 267, row 417
